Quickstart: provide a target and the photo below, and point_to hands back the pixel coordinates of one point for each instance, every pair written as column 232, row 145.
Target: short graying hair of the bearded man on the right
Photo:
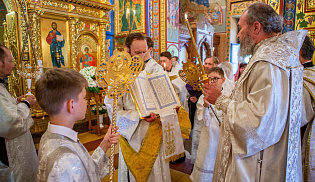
column 269, row 19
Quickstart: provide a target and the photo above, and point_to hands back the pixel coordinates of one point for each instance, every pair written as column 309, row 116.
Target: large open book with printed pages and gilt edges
column 154, row 93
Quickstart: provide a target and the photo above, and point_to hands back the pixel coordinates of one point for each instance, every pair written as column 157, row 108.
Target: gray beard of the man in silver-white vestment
column 247, row 45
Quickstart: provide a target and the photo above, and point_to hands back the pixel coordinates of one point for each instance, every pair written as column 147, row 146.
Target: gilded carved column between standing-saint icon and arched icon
column 73, row 40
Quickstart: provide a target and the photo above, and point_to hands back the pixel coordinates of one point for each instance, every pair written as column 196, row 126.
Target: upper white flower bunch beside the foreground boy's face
column 89, row 75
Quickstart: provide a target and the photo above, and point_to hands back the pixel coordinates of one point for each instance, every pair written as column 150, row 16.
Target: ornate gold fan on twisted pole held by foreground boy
column 115, row 76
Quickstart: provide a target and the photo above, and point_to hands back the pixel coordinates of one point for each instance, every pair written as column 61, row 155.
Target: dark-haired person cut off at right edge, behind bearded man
column 308, row 110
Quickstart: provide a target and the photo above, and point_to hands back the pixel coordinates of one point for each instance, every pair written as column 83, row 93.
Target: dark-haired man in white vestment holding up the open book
column 131, row 127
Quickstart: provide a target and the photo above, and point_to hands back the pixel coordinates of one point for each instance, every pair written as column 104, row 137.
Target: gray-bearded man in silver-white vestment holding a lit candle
column 260, row 136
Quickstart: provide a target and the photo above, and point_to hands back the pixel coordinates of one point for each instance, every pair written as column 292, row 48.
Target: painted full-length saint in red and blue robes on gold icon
column 55, row 45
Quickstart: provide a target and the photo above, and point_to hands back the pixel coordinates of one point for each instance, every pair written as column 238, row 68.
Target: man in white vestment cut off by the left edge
column 18, row 155
